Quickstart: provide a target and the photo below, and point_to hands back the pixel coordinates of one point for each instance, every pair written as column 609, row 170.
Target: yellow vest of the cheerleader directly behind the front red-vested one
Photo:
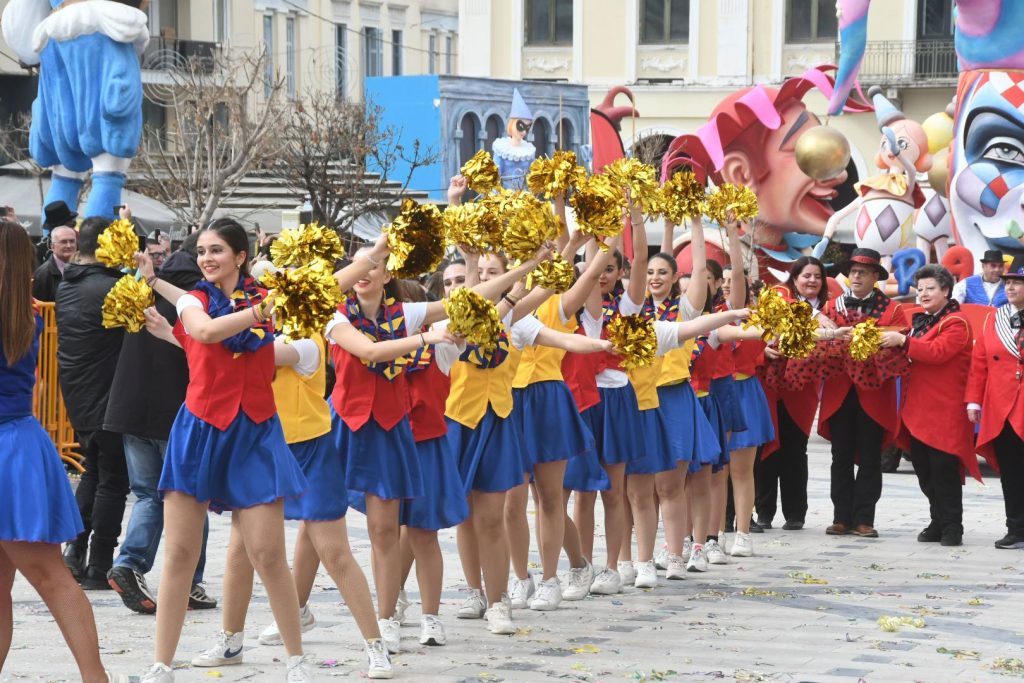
column 305, row 413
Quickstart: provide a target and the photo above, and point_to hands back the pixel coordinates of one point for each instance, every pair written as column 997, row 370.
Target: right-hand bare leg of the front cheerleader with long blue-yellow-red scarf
column 263, row 531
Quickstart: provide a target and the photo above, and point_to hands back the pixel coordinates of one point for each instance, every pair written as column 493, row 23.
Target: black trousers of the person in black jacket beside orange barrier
column 101, row 496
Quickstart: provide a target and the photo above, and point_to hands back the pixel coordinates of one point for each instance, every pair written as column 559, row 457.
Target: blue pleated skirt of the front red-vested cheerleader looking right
column 247, row 464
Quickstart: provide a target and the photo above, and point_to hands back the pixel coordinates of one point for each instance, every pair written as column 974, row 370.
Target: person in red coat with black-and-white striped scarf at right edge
column 996, row 386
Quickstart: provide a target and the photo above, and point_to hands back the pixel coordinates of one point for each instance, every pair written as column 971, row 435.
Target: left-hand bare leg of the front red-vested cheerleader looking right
column 184, row 519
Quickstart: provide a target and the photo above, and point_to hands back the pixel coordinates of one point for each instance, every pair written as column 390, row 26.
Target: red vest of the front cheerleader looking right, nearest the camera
column 223, row 383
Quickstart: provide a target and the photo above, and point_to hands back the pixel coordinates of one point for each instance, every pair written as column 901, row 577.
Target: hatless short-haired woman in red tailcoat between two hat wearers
column 938, row 347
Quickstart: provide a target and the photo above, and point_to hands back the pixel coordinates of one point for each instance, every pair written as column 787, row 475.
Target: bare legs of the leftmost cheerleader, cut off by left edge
column 42, row 566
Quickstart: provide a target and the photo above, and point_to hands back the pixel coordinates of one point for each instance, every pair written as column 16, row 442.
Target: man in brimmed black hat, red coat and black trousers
column 860, row 422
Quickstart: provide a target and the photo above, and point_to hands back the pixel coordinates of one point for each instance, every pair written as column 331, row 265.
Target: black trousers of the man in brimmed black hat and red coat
column 857, row 442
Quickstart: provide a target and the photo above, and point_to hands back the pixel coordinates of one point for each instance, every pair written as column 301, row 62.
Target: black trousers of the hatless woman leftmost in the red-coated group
column 786, row 469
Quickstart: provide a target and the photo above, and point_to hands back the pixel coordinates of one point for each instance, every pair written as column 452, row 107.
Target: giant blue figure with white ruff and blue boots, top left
column 89, row 112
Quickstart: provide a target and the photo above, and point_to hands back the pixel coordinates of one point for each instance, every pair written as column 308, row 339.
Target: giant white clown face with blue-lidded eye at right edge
column 987, row 188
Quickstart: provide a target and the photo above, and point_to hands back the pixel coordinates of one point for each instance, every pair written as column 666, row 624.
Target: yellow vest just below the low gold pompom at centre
column 474, row 389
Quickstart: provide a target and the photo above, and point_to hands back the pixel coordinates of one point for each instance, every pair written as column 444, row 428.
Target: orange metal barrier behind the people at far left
column 48, row 404
